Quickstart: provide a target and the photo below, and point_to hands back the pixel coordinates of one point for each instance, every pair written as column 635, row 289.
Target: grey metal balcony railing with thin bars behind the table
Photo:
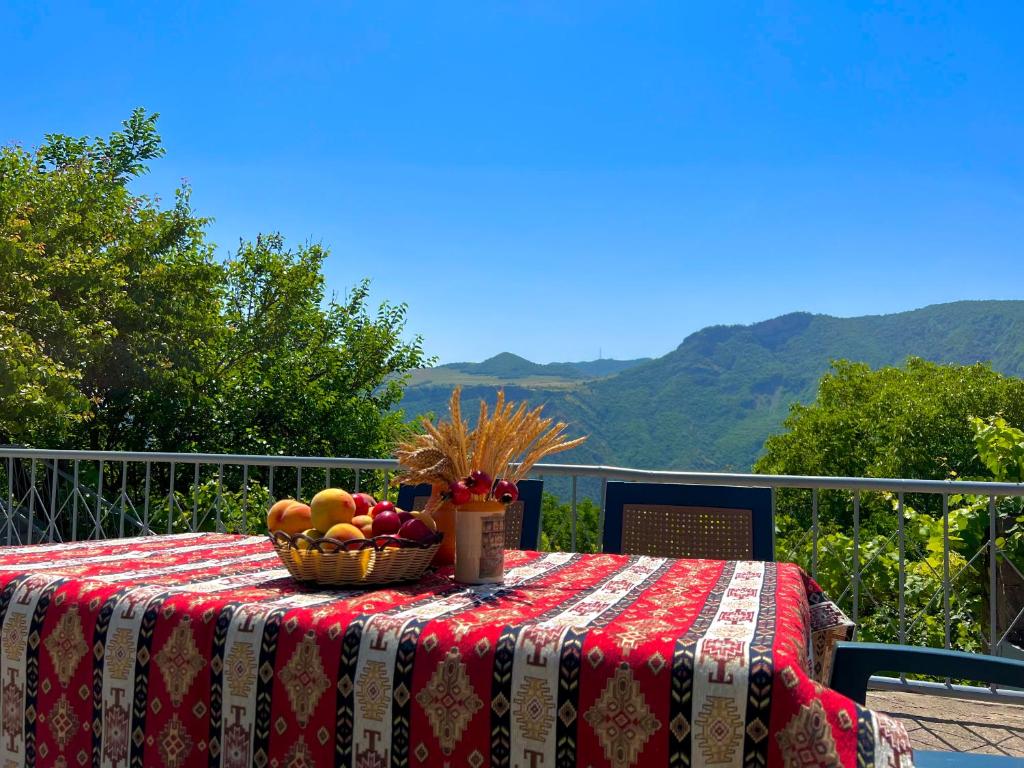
column 68, row 496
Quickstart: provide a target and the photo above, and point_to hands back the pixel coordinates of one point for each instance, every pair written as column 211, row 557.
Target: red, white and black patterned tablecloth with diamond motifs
column 199, row 650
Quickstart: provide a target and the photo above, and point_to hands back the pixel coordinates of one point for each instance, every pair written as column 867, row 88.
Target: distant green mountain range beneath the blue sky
column 711, row 403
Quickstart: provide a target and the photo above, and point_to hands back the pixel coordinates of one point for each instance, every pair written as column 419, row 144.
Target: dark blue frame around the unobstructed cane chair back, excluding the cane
column 757, row 500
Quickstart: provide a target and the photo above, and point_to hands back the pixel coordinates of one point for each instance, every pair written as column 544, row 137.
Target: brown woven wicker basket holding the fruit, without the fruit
column 359, row 563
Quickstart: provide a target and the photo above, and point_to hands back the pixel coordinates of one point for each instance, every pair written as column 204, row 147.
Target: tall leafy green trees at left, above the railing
column 120, row 330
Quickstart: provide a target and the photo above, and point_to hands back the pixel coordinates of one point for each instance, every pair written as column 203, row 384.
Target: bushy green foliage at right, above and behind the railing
column 919, row 422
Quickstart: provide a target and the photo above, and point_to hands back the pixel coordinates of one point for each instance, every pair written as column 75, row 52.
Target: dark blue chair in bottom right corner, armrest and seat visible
column 854, row 664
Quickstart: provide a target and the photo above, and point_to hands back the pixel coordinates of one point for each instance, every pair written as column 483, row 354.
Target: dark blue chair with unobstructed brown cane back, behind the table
column 672, row 521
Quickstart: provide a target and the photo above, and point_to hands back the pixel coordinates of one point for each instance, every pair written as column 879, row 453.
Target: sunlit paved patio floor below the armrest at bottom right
column 956, row 724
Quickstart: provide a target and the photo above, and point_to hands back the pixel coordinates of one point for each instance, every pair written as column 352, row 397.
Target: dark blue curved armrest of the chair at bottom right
column 856, row 663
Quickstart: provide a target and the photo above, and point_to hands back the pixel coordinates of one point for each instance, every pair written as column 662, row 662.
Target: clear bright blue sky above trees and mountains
column 562, row 179
